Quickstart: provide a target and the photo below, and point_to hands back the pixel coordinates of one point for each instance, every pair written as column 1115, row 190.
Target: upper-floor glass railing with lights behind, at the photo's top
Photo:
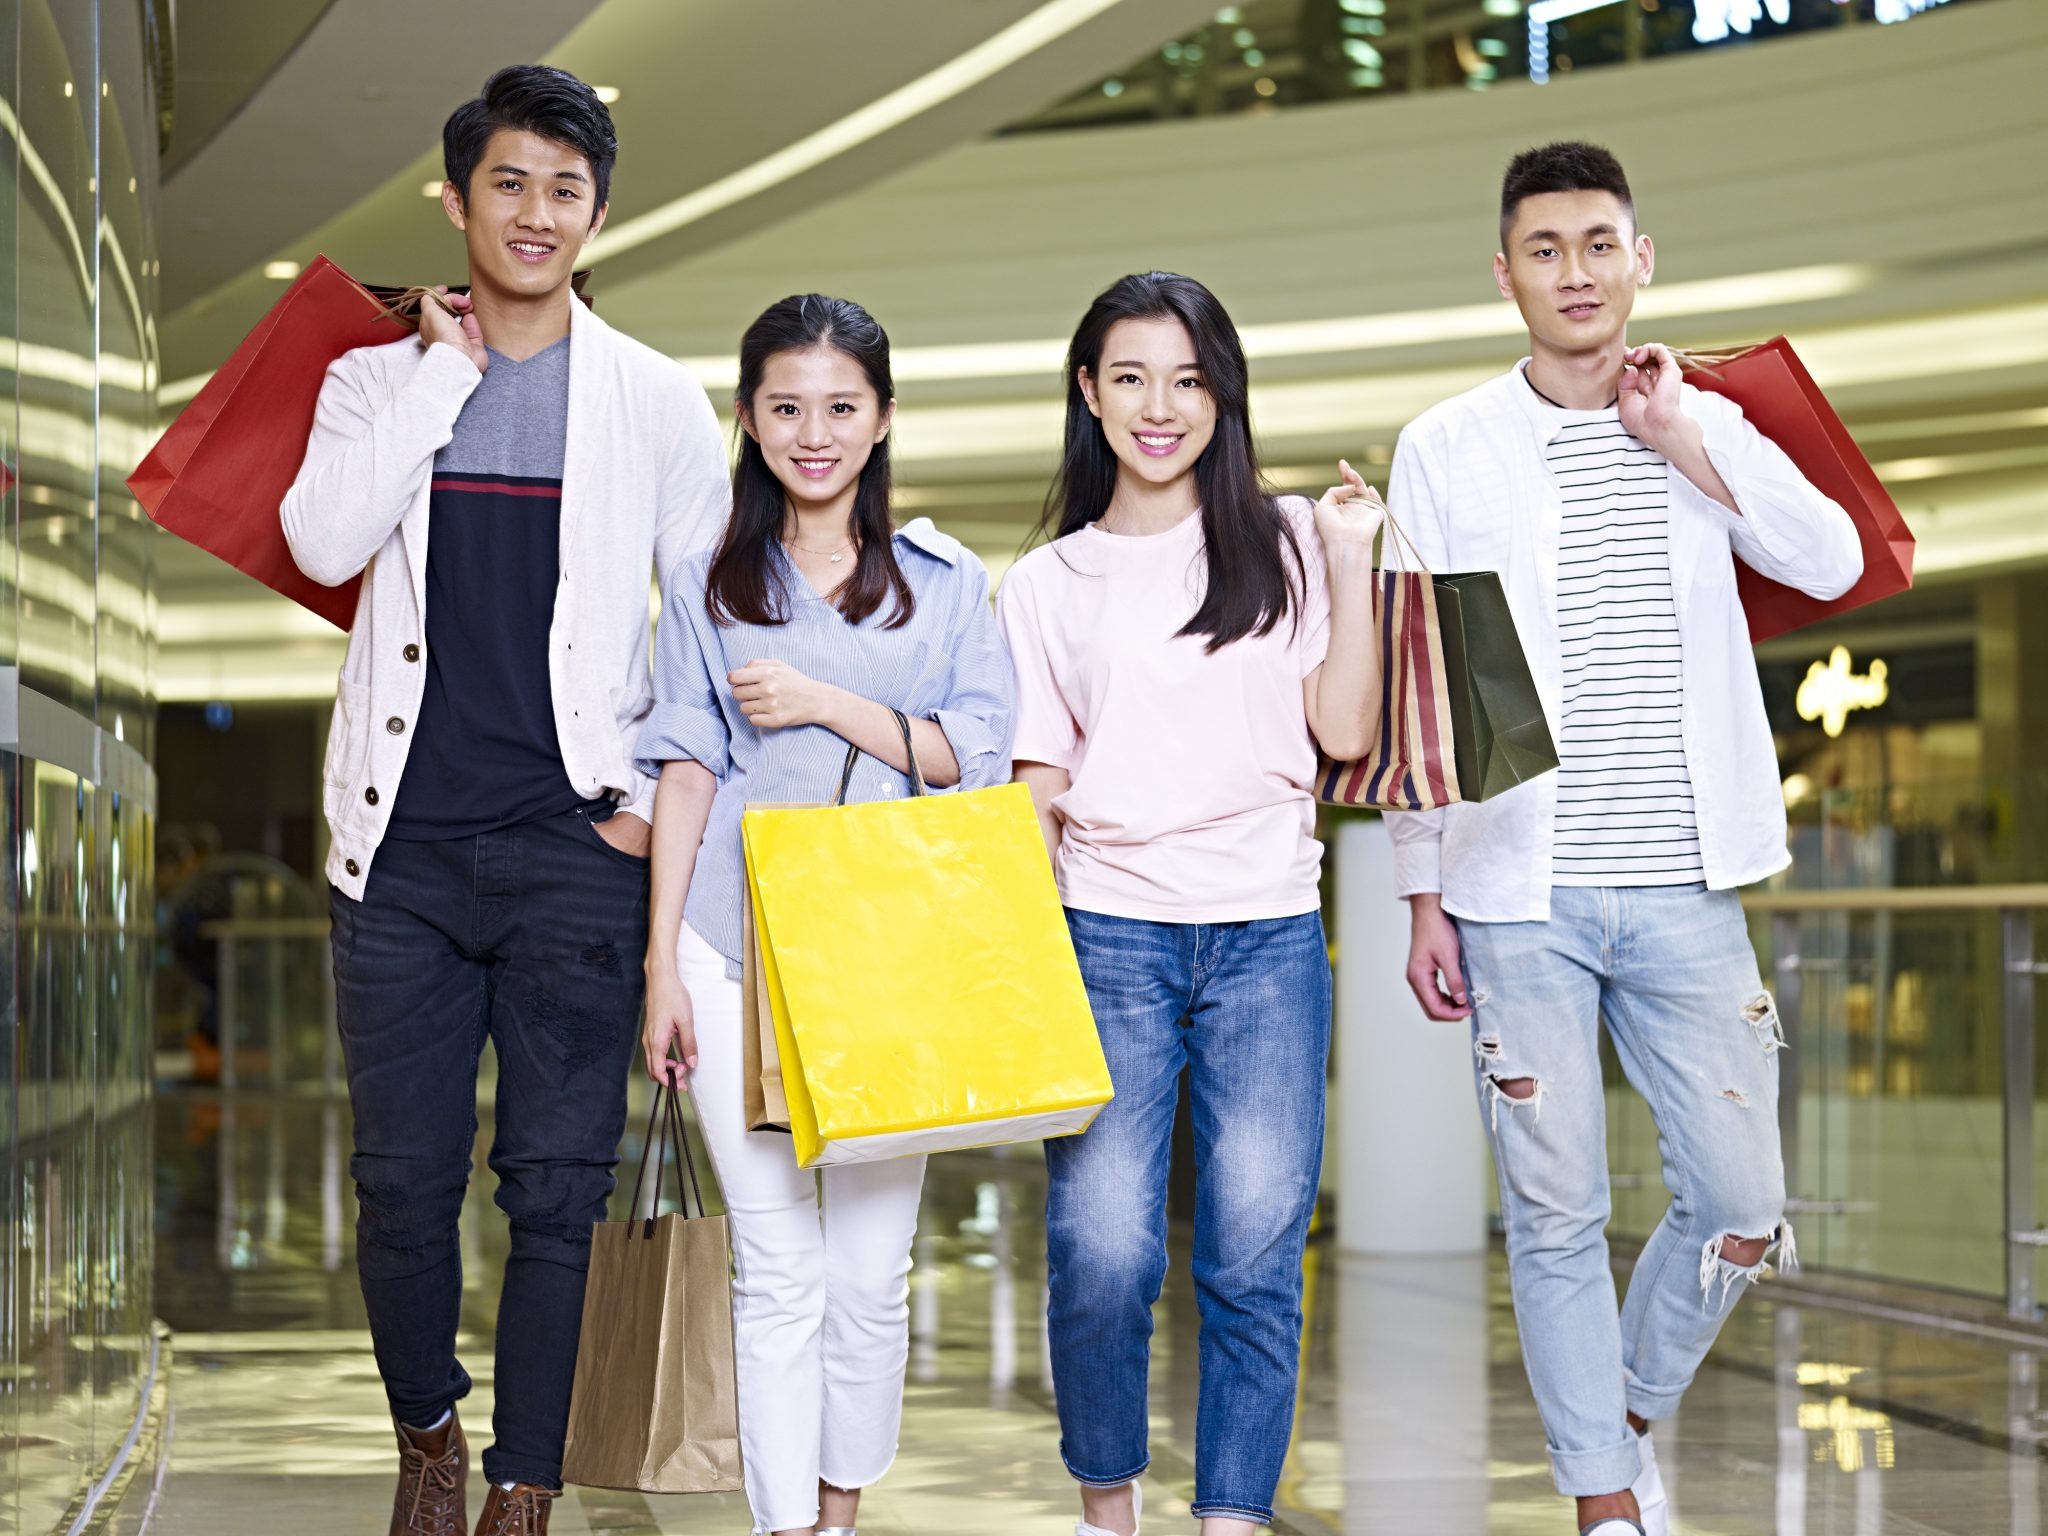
column 1275, row 54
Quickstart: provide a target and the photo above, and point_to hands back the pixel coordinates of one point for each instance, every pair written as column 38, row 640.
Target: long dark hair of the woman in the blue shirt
column 749, row 579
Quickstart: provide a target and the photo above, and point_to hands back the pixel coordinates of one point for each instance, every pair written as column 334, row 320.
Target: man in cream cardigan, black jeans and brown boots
column 507, row 484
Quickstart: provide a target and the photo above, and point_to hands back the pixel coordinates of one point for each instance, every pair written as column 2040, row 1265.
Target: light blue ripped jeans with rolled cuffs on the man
column 1672, row 974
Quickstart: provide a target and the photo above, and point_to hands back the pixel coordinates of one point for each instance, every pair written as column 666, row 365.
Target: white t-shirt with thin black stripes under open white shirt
column 1625, row 808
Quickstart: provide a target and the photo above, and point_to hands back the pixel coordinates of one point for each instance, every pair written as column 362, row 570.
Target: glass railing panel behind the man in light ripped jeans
column 1912, row 1097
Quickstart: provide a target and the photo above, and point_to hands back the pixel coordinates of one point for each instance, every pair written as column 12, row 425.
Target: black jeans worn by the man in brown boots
column 534, row 939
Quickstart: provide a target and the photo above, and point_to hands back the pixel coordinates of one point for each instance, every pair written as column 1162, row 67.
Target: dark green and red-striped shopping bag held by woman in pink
column 1461, row 718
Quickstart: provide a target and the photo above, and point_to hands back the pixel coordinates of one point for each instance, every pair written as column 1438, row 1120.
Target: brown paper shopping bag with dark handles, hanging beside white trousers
column 656, row 1404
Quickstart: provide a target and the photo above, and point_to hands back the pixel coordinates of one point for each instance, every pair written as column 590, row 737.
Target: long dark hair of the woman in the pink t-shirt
column 1250, row 546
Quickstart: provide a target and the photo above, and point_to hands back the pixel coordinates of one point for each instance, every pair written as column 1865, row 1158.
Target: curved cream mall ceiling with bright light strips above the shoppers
column 978, row 171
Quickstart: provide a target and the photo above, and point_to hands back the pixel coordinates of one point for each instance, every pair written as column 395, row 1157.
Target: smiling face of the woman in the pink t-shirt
column 1152, row 400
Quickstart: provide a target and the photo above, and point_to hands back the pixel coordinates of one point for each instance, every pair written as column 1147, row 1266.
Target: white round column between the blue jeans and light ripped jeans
column 1412, row 1158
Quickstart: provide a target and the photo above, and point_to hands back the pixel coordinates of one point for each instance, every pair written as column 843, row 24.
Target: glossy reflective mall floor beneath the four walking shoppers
column 1416, row 1418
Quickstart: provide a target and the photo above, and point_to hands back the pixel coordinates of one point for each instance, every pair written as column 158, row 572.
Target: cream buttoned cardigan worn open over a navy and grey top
column 644, row 482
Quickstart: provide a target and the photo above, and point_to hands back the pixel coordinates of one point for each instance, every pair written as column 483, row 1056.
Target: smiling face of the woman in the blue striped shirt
column 816, row 419
